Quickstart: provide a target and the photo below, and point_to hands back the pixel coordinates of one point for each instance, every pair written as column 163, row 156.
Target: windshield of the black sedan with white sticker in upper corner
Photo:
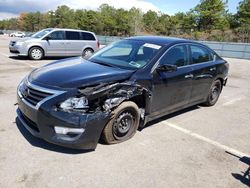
column 129, row 54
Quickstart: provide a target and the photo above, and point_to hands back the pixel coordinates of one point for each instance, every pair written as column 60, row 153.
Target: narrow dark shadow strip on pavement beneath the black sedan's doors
column 169, row 116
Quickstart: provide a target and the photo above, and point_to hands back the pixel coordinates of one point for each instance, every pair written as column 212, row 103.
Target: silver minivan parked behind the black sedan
column 56, row 42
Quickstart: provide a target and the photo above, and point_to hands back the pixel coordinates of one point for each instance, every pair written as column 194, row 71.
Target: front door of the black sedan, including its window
column 172, row 89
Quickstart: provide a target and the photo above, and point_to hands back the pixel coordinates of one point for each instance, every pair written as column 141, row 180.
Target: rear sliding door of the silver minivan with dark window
column 73, row 43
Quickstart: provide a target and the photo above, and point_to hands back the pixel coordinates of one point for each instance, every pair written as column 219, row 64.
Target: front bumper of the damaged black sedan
column 41, row 122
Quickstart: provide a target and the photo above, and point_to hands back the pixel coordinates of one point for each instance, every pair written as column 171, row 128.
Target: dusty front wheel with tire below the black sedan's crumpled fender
column 123, row 124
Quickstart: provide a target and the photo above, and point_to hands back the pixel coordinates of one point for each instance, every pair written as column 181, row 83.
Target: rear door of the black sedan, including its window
column 204, row 71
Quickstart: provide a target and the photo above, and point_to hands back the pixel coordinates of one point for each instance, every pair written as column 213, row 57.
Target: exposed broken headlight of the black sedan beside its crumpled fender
column 75, row 103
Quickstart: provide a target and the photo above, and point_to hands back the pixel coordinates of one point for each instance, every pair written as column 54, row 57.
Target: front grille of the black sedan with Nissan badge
column 33, row 96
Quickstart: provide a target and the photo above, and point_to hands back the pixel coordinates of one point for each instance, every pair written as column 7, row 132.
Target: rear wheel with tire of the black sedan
column 214, row 93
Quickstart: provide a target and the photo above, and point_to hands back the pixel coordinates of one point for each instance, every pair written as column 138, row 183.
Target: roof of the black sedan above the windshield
column 160, row 40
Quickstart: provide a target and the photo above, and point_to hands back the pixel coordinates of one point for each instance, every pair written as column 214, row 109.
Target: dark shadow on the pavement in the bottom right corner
column 243, row 177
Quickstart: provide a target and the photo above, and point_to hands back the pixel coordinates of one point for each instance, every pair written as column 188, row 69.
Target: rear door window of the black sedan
column 199, row 54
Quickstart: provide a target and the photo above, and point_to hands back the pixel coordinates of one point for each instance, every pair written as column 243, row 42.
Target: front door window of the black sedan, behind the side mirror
column 175, row 56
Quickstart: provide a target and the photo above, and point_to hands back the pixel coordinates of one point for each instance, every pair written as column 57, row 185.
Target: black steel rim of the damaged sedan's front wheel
column 123, row 124
